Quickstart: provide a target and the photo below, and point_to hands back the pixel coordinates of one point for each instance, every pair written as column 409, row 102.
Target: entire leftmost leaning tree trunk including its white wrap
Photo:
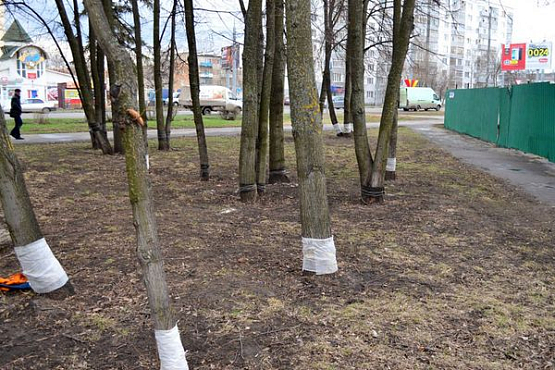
column 39, row 265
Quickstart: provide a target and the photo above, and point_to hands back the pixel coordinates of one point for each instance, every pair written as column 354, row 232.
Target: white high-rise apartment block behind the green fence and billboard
column 452, row 43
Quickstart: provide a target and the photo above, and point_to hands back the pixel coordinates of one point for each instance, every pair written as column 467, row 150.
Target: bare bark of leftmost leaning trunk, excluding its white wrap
column 18, row 211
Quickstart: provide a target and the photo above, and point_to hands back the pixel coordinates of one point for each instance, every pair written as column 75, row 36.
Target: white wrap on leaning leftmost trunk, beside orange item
column 42, row 269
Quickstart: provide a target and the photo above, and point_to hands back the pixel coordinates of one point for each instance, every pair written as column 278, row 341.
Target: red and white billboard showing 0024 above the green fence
column 520, row 57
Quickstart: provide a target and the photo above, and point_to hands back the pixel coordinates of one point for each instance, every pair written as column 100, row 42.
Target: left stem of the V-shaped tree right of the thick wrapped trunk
column 355, row 55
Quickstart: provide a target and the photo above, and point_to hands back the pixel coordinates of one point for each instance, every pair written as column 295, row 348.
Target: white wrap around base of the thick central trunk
column 319, row 256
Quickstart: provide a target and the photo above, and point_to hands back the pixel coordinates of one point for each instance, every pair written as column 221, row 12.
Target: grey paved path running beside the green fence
column 534, row 175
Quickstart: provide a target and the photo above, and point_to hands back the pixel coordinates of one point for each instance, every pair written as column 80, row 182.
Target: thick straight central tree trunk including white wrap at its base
column 318, row 247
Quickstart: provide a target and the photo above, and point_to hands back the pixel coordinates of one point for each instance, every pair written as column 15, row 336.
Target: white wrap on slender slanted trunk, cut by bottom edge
column 170, row 350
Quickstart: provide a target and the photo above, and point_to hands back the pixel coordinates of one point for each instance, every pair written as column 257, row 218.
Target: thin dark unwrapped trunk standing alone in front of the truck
column 194, row 81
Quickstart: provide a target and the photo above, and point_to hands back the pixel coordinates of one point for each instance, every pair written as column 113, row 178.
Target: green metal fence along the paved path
column 520, row 117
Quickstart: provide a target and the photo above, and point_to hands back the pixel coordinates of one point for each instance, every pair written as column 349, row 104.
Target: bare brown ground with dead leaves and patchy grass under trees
column 454, row 271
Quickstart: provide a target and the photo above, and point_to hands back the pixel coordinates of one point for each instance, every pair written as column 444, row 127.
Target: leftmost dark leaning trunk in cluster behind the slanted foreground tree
column 83, row 77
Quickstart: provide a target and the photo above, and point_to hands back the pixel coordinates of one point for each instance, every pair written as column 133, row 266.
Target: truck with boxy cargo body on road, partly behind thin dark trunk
column 213, row 99
